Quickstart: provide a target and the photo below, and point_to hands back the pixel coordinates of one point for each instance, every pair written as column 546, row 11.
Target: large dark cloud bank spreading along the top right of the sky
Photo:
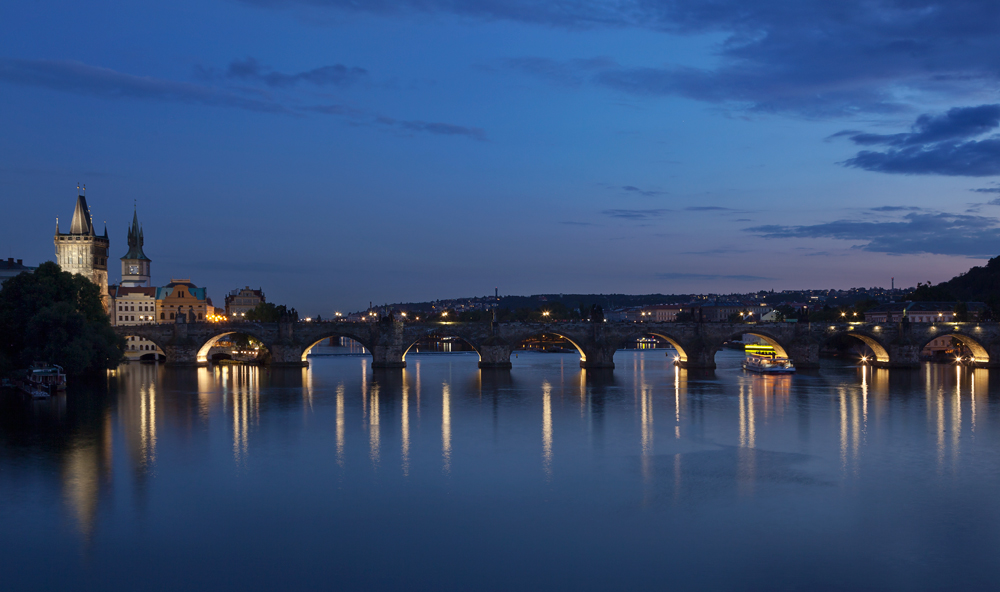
column 814, row 57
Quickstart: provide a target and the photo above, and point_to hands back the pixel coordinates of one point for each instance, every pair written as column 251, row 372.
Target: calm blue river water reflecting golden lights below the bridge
column 545, row 477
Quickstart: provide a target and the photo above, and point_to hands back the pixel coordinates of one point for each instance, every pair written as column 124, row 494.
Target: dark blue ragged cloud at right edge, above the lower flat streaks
column 936, row 145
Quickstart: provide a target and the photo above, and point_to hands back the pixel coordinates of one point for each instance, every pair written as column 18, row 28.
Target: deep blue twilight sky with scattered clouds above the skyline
column 335, row 152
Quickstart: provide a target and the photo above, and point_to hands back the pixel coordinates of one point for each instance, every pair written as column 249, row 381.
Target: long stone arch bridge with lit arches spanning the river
column 894, row 345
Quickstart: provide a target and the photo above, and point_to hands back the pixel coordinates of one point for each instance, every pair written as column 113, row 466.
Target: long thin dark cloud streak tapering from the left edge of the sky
column 79, row 78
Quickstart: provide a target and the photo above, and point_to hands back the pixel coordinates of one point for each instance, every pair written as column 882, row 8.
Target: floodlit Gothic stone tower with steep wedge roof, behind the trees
column 81, row 251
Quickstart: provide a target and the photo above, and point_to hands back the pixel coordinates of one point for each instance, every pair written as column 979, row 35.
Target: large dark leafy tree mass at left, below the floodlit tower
column 58, row 317
